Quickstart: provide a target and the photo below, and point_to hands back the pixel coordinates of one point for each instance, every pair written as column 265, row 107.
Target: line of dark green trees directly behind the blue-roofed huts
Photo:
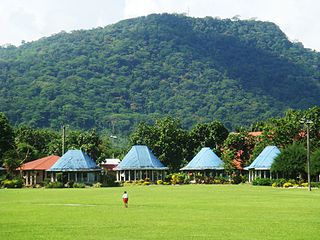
column 175, row 146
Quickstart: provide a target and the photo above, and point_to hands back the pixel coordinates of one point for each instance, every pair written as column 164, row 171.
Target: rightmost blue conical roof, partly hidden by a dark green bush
column 265, row 158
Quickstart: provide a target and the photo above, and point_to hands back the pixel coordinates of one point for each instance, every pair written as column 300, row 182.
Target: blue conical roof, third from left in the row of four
column 205, row 159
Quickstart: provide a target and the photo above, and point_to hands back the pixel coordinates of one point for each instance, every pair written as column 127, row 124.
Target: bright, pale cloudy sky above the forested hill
column 29, row 20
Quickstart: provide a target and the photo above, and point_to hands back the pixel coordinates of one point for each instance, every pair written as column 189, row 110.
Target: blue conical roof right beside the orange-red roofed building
column 74, row 160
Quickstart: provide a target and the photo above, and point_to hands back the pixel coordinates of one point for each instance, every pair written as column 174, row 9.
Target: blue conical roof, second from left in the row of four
column 140, row 157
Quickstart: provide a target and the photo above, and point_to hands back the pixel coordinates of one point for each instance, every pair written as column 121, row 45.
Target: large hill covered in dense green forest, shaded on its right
column 195, row 69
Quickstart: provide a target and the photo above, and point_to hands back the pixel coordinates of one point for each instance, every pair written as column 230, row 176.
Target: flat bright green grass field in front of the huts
column 161, row 212
